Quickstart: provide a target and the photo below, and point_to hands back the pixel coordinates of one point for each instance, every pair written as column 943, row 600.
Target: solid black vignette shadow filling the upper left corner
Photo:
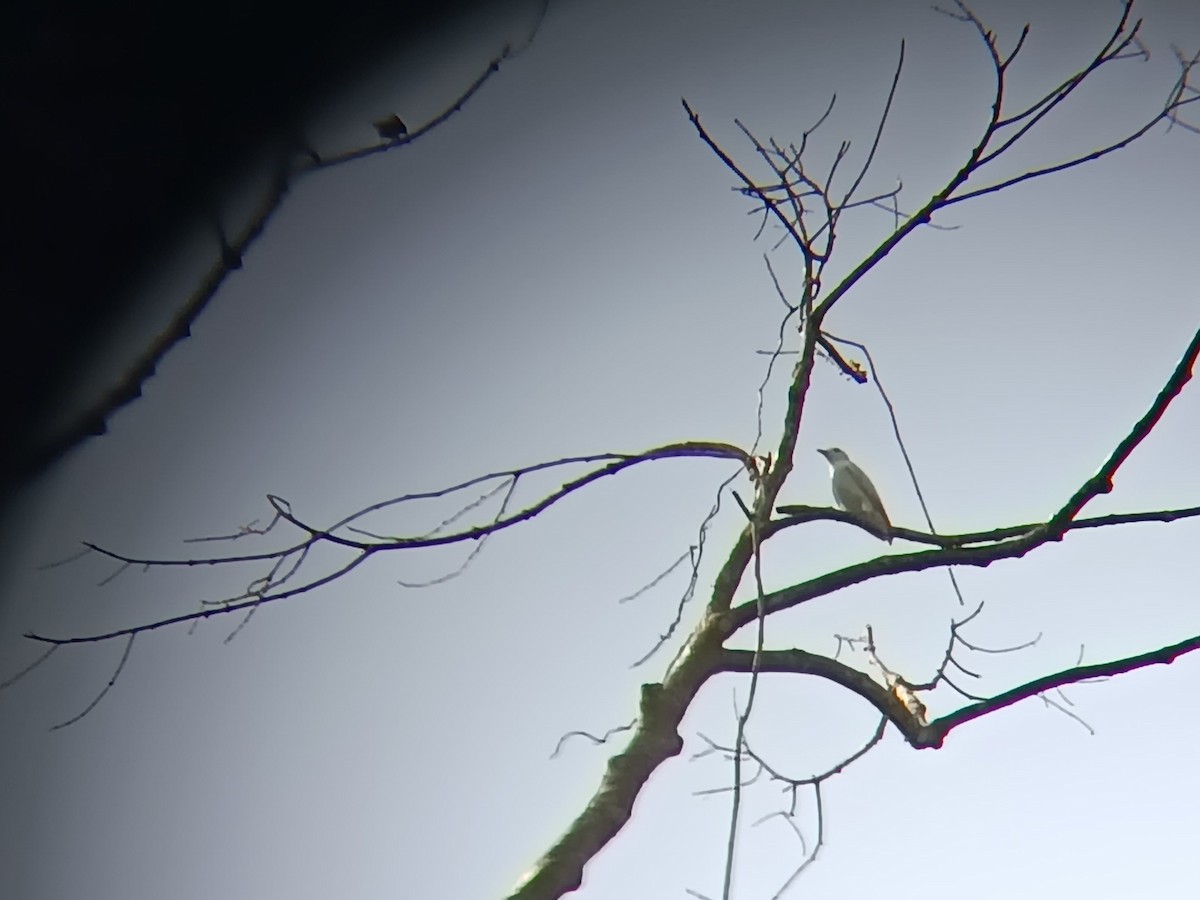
column 121, row 121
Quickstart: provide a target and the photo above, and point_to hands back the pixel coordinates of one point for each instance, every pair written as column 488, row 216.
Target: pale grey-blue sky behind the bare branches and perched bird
column 562, row 269
